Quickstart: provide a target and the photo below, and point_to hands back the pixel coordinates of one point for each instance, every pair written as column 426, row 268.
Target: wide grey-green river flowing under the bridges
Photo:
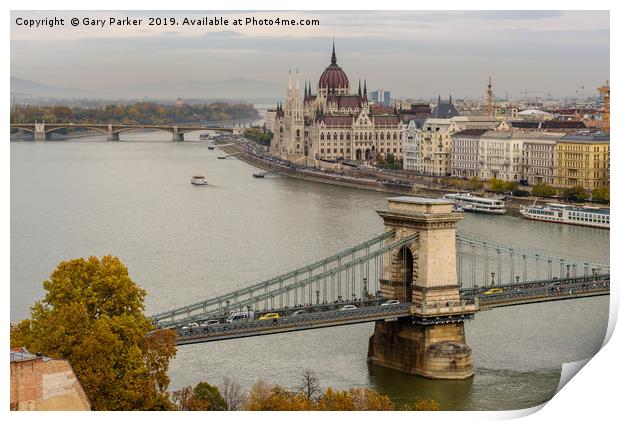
column 183, row 243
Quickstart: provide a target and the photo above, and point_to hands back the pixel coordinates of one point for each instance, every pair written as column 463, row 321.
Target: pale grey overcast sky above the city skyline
column 413, row 54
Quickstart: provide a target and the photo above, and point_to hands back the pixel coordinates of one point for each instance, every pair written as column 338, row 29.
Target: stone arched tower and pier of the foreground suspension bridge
column 430, row 342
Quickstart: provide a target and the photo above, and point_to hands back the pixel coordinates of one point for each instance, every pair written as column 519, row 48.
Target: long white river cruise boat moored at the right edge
column 568, row 214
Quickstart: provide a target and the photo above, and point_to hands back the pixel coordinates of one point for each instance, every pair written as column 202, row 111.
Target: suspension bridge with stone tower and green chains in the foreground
column 418, row 281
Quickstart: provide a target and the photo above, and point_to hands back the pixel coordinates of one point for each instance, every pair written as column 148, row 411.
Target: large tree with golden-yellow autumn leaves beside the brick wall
column 92, row 315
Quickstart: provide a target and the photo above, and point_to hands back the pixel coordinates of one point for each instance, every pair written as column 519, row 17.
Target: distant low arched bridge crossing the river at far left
column 43, row 131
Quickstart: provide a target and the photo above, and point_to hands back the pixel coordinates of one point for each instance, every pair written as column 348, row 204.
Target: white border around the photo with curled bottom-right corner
column 590, row 395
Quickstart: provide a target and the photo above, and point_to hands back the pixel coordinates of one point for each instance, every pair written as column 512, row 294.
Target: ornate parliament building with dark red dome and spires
column 334, row 123
